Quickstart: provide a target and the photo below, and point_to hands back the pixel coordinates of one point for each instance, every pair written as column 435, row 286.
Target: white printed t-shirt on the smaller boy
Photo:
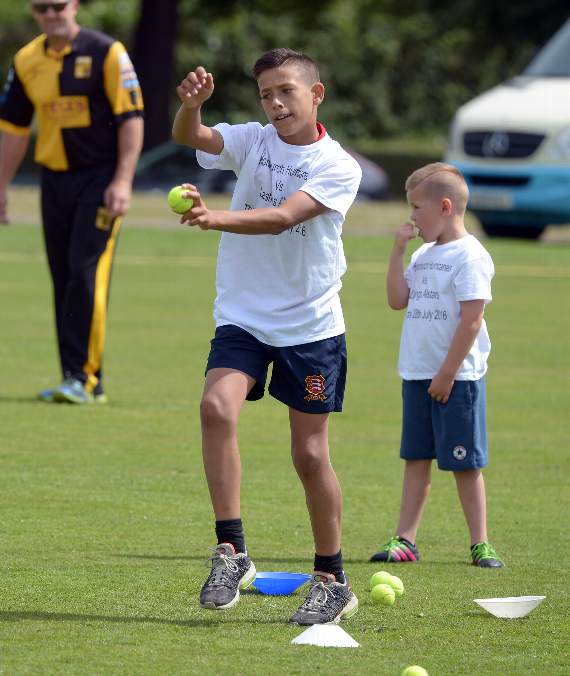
column 439, row 277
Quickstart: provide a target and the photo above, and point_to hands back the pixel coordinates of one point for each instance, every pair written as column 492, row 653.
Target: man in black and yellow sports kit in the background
column 84, row 91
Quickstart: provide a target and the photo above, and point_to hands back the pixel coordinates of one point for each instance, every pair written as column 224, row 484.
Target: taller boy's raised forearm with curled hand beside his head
column 193, row 91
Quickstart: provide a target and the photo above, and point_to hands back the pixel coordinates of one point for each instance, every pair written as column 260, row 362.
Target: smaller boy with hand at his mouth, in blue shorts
column 443, row 357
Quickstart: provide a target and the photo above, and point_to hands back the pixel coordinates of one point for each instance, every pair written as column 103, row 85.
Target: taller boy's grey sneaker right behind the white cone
column 328, row 602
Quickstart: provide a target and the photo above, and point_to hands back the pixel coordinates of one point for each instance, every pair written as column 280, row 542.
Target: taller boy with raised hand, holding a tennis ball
column 280, row 263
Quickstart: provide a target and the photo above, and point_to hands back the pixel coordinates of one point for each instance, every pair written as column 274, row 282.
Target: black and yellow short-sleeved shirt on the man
column 80, row 95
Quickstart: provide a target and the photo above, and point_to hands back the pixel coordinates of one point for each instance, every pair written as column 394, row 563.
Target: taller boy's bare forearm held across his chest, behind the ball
column 265, row 221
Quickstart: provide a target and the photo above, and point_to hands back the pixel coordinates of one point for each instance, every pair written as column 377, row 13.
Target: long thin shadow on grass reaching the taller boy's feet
column 43, row 616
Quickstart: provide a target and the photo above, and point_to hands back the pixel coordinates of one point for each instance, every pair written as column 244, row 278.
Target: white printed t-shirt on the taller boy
column 283, row 289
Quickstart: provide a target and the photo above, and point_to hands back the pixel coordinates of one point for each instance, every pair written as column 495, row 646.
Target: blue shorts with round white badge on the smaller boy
column 455, row 433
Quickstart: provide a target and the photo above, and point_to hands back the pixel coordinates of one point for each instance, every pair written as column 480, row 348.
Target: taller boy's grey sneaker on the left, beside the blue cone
column 230, row 573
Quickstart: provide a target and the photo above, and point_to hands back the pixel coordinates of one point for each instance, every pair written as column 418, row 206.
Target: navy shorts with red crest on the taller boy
column 309, row 378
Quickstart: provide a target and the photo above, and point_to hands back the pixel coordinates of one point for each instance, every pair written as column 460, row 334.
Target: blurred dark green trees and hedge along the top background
column 392, row 68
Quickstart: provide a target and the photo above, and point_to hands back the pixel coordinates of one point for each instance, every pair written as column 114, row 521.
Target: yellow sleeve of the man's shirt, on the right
column 121, row 82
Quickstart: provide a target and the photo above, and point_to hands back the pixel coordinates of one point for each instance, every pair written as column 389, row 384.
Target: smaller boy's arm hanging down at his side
column 469, row 324
